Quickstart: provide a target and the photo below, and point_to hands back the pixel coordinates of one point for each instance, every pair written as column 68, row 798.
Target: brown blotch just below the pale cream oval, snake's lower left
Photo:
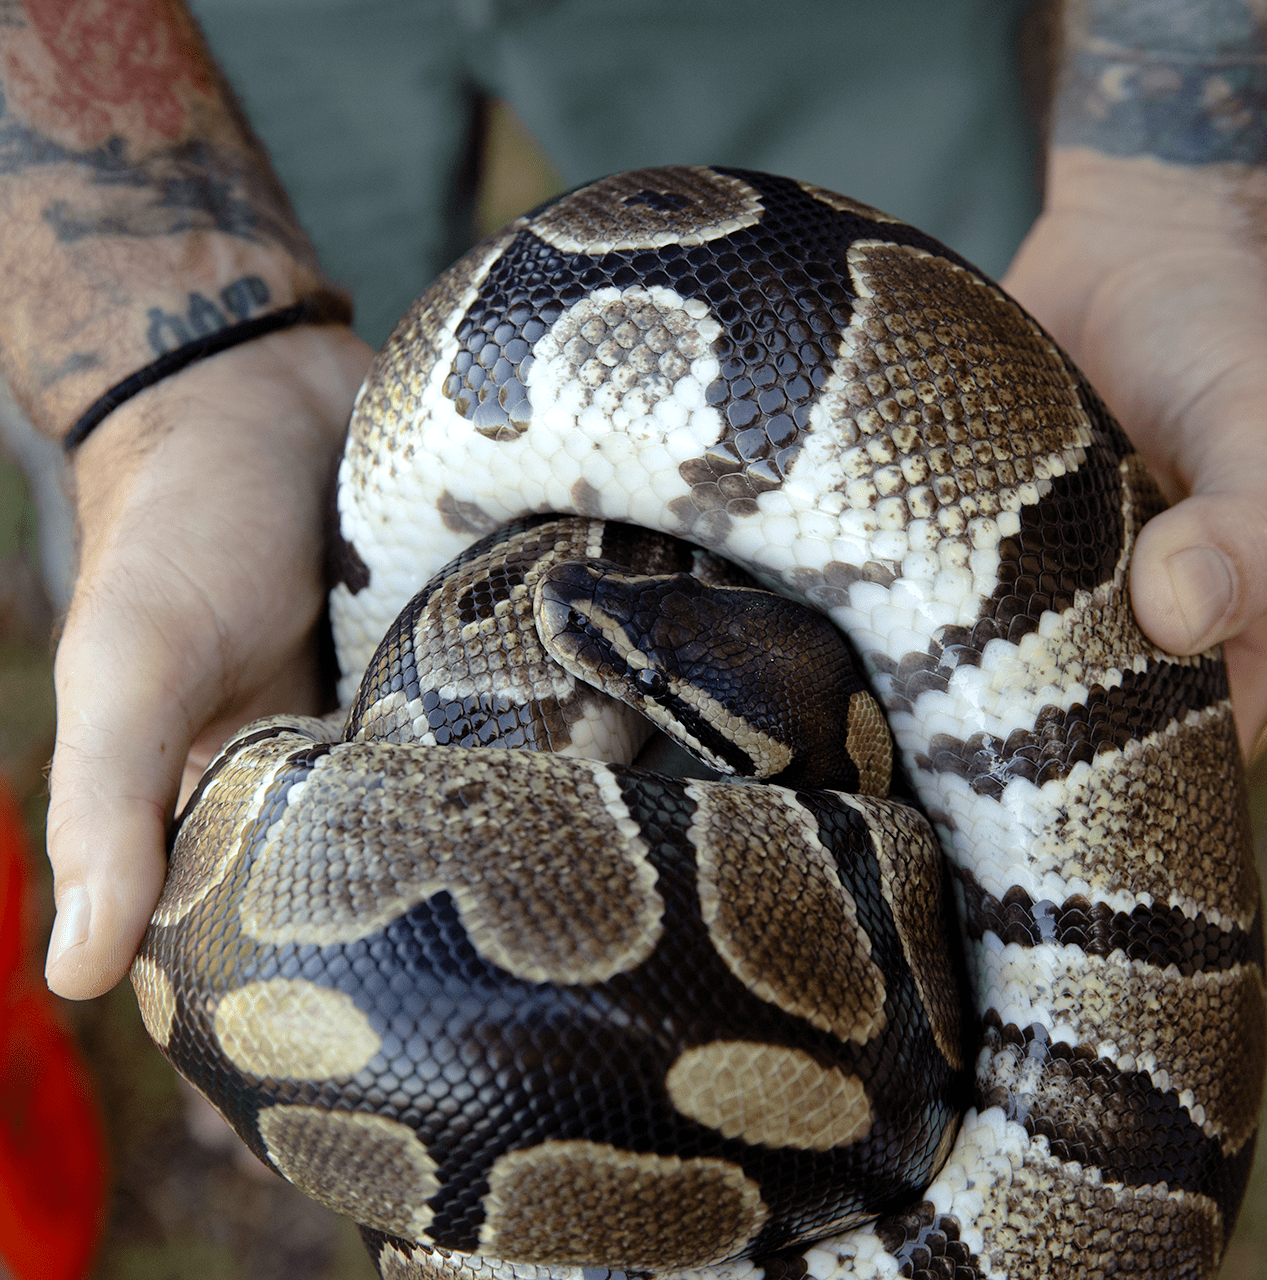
column 369, row 1168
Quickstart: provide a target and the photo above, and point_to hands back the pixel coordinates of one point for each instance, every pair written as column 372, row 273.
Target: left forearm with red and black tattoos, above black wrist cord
column 138, row 211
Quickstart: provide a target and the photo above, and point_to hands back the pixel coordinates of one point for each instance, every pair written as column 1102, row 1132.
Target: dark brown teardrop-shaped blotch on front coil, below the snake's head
column 777, row 913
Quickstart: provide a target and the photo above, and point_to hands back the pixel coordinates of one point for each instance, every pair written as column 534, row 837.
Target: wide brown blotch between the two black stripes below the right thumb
column 1161, row 817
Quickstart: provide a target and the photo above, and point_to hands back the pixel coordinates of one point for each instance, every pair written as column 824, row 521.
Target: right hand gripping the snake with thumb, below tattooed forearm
column 1155, row 280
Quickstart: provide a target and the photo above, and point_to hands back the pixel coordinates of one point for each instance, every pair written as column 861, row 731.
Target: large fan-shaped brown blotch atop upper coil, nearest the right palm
column 945, row 395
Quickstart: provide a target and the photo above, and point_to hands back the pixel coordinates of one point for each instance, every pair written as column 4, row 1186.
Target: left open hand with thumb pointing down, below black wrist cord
column 202, row 510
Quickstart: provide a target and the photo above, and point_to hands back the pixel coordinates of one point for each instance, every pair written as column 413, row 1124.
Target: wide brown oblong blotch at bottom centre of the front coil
column 584, row 1204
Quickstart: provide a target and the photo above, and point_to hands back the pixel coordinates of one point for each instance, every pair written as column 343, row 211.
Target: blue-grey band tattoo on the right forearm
column 1183, row 81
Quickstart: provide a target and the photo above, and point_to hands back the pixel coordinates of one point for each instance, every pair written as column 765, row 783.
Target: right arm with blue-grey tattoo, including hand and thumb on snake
column 1150, row 264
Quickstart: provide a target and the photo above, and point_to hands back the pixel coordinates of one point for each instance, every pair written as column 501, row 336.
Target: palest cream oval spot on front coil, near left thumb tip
column 290, row 1028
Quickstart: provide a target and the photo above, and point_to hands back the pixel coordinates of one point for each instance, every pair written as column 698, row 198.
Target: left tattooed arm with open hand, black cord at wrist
column 136, row 213
